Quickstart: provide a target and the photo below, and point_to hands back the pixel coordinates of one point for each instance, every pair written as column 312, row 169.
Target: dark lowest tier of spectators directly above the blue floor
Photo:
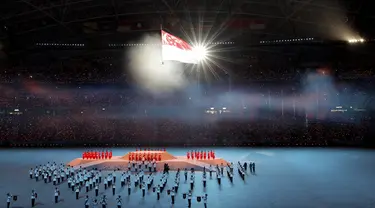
column 101, row 131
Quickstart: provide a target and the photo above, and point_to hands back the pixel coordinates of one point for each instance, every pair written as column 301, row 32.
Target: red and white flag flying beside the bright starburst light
column 176, row 49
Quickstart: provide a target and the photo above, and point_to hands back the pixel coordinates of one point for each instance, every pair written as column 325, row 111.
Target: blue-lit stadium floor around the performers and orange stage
column 300, row 178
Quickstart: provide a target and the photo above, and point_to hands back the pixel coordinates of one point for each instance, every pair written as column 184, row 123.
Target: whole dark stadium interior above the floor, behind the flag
column 277, row 73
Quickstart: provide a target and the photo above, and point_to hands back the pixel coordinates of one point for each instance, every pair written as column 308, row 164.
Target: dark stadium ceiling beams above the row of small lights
column 267, row 19
